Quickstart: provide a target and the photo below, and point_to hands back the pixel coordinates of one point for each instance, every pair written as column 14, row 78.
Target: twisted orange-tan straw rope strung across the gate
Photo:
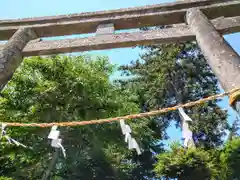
column 131, row 116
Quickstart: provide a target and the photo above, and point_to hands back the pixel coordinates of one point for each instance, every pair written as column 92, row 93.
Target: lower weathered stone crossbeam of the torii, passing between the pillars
column 178, row 33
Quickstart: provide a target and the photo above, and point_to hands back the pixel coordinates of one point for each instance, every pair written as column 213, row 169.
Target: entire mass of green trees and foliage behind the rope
column 78, row 88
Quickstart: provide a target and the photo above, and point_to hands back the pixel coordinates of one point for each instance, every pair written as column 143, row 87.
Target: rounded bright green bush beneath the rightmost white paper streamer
column 187, row 164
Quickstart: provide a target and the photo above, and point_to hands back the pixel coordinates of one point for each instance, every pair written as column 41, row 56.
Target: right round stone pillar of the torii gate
column 221, row 57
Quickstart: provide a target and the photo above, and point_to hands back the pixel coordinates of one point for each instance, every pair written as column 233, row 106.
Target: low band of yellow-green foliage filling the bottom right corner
column 219, row 163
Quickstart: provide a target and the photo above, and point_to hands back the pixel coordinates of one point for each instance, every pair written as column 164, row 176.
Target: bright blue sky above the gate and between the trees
column 31, row 8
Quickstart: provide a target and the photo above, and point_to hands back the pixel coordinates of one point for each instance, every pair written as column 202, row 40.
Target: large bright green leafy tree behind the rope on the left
column 62, row 88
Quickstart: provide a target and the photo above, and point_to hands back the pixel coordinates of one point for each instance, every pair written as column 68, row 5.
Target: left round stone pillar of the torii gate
column 11, row 54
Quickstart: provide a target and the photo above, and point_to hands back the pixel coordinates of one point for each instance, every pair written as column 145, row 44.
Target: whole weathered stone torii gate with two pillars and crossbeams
column 202, row 20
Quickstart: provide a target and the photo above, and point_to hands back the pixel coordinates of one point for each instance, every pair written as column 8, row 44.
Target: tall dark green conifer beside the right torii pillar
column 172, row 74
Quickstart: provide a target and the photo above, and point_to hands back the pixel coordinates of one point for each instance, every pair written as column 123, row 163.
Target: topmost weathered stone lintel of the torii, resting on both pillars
column 130, row 18
